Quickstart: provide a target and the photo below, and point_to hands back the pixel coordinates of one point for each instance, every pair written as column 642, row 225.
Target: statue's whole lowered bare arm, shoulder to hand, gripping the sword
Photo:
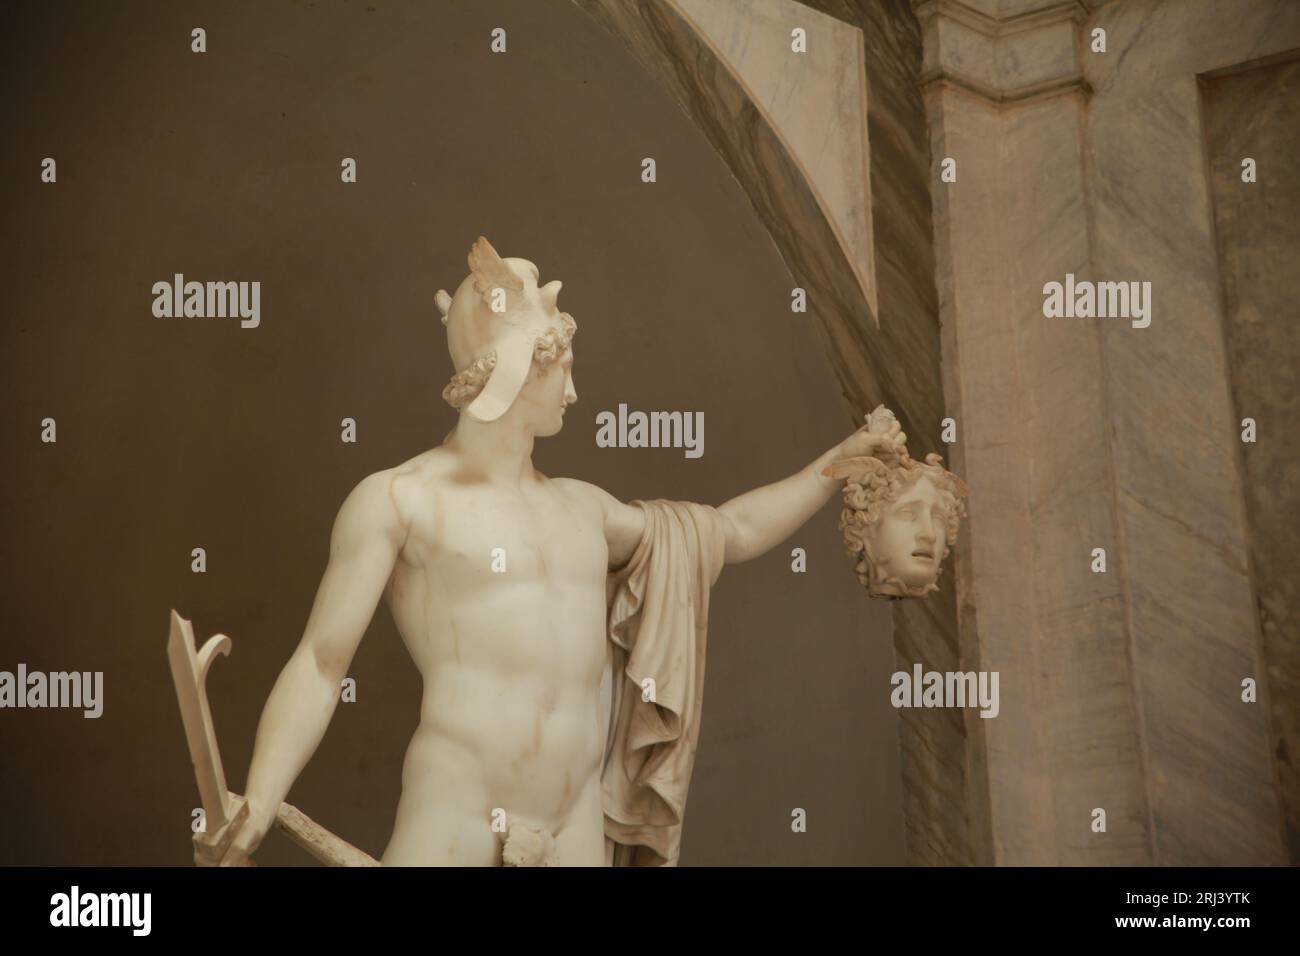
column 365, row 544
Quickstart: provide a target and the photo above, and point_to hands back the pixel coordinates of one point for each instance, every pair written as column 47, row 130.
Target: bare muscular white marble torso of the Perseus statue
column 512, row 719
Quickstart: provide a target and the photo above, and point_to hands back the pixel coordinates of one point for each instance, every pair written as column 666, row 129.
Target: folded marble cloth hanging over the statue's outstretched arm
column 658, row 621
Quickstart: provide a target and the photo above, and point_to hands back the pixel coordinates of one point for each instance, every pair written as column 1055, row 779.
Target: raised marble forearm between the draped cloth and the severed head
column 761, row 520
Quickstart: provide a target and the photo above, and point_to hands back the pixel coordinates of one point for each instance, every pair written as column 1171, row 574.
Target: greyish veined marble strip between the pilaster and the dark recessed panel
column 1175, row 436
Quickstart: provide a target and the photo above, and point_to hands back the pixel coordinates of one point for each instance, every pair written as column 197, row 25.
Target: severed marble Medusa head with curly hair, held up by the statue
column 902, row 517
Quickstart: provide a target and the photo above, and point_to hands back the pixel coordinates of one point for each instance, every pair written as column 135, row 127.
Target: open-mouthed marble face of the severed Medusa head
column 912, row 537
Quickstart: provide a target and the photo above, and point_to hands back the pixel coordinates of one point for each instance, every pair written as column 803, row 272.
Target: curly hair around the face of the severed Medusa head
column 876, row 485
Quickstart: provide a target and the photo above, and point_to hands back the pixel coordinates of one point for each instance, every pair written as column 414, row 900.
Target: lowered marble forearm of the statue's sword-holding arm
column 292, row 728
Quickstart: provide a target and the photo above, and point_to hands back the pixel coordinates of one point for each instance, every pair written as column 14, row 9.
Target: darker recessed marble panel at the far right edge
column 1256, row 115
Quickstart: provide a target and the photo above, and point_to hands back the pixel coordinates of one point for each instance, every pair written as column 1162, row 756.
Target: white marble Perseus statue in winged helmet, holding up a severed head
column 561, row 633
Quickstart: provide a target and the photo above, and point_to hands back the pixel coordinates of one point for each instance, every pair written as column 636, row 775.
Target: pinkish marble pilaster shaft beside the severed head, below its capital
column 1030, row 400
